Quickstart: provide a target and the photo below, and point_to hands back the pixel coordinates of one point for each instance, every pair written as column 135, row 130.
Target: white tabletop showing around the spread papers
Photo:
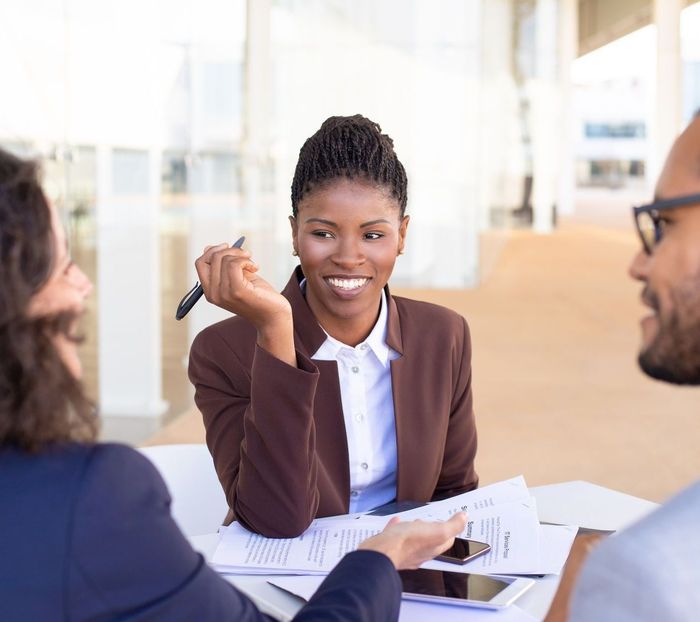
column 570, row 503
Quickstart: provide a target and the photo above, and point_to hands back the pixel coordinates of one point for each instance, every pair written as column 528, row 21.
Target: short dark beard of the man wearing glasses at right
column 674, row 354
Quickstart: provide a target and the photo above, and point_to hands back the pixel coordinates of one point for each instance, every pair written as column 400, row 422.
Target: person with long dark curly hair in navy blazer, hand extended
column 85, row 528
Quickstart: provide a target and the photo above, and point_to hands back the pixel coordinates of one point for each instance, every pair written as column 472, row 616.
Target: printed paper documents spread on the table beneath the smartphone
column 503, row 514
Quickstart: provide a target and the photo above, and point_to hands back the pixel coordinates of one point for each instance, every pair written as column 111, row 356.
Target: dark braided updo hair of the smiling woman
column 351, row 147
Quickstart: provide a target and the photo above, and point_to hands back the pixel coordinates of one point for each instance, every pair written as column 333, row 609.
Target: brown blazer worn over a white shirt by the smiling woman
column 277, row 432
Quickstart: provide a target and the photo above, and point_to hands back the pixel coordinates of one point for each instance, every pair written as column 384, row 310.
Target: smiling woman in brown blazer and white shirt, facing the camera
column 333, row 396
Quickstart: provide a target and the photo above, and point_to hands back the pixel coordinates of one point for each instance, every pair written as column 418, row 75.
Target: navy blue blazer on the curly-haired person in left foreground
column 86, row 534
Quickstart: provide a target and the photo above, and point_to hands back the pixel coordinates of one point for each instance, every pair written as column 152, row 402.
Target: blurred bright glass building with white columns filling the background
column 168, row 126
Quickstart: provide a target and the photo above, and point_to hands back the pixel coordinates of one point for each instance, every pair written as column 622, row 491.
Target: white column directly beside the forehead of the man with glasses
column 666, row 121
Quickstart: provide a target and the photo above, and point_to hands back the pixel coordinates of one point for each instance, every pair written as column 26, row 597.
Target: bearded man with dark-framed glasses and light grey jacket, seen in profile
column 651, row 571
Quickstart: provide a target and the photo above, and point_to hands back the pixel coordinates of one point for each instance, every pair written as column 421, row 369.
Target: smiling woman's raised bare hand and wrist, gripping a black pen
column 229, row 279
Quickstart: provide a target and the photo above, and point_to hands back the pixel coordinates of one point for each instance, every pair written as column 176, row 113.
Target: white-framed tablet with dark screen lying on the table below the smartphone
column 459, row 588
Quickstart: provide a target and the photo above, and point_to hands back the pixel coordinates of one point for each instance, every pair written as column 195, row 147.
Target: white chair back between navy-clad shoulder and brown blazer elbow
column 199, row 505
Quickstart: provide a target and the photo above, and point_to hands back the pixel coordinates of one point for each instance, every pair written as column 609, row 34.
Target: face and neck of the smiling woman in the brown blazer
column 347, row 236
